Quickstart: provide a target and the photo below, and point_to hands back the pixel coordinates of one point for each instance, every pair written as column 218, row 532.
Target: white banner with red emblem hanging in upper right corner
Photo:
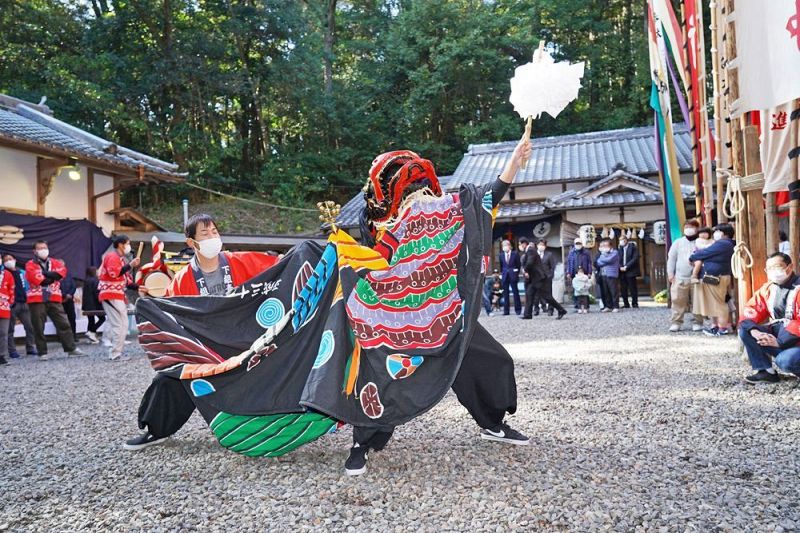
column 767, row 53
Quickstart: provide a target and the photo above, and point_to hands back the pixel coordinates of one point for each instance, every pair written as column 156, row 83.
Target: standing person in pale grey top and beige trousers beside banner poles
column 679, row 274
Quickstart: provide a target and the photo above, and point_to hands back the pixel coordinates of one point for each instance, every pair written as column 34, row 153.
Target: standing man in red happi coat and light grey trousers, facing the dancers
column 115, row 278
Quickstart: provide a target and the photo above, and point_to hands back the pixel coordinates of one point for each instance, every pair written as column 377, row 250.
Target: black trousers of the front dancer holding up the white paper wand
column 485, row 385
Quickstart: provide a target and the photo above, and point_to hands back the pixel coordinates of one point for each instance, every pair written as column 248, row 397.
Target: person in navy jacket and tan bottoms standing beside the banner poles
column 710, row 296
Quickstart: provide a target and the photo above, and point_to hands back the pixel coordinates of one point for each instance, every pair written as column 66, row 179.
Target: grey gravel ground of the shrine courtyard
column 632, row 429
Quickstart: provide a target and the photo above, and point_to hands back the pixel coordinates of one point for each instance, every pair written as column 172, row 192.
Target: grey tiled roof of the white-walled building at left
column 31, row 127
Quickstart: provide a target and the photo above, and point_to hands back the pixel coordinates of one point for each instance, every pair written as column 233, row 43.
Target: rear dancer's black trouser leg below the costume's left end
column 165, row 407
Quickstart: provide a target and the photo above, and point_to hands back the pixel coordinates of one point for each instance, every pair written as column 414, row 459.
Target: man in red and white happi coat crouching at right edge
column 770, row 323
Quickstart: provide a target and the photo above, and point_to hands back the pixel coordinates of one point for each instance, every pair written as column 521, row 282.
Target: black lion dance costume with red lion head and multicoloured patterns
column 371, row 336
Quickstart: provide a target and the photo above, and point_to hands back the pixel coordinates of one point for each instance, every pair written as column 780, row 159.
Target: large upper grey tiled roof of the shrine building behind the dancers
column 572, row 157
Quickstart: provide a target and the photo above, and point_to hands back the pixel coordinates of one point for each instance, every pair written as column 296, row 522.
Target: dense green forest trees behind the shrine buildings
column 238, row 93
